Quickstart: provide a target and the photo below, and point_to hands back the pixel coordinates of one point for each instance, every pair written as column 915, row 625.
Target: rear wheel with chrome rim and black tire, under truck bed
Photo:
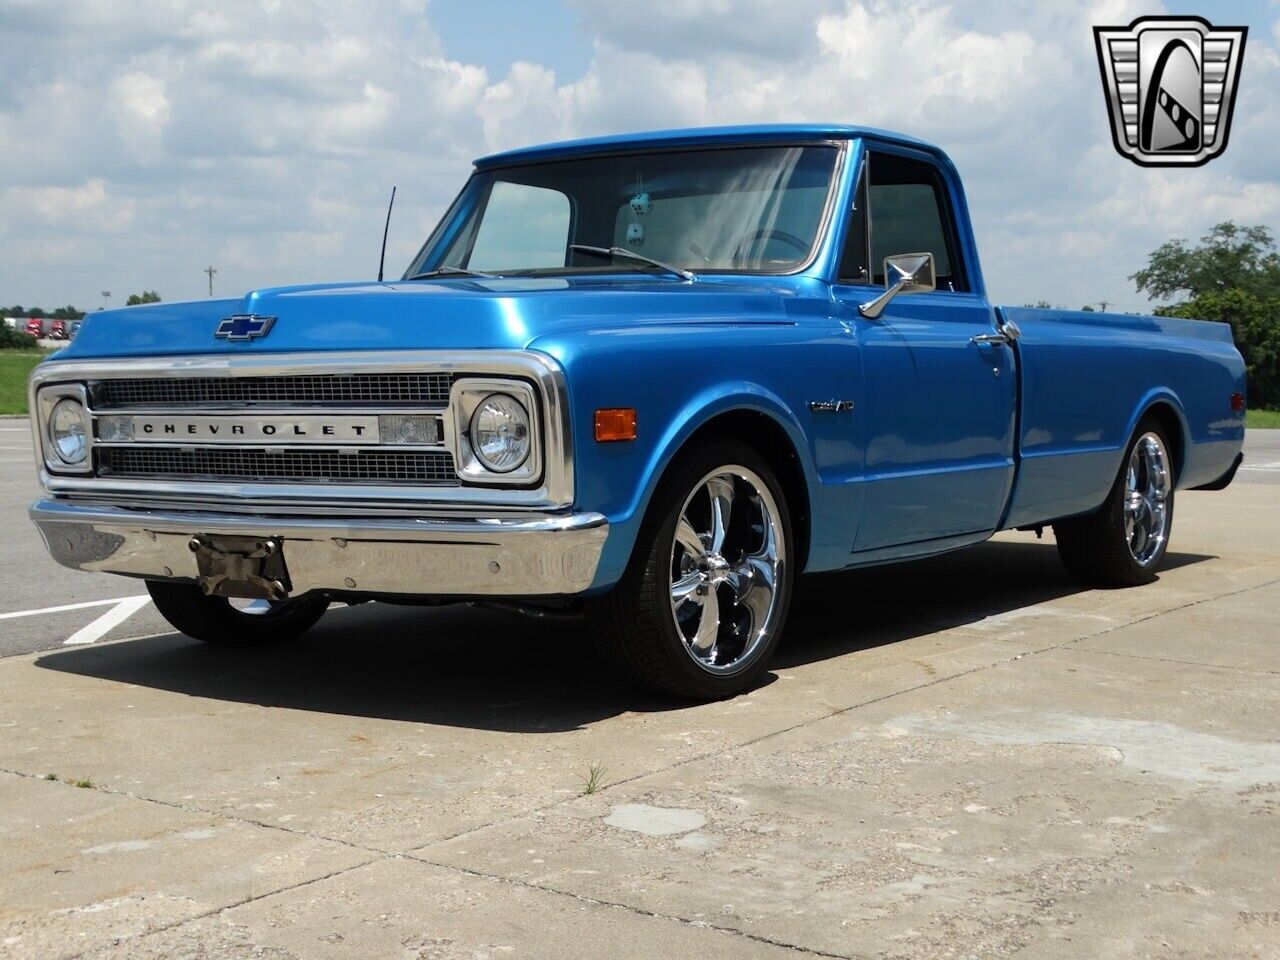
column 1123, row 543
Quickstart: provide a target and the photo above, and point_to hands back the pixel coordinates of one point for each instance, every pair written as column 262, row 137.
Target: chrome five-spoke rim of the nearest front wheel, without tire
column 726, row 570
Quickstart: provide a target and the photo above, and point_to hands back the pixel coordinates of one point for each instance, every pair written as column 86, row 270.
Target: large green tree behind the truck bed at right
column 1232, row 276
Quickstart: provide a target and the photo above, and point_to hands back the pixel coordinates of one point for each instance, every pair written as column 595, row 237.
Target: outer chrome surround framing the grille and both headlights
column 554, row 492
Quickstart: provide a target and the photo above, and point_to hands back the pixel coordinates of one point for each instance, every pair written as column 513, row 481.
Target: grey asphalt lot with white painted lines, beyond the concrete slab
column 38, row 589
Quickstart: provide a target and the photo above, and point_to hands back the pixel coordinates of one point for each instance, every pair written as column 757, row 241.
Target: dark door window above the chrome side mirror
column 911, row 213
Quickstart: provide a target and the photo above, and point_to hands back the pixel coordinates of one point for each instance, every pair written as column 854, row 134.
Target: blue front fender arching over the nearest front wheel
column 682, row 380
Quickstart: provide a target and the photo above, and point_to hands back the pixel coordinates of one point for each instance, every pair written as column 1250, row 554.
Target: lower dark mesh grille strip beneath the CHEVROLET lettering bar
column 290, row 467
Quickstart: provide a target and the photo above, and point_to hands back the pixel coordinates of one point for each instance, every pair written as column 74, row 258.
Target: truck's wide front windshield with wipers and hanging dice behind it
column 743, row 209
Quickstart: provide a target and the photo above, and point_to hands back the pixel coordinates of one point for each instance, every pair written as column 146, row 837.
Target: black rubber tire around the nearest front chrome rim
column 634, row 625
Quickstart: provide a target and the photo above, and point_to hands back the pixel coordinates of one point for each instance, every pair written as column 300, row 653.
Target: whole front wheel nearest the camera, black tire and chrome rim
column 703, row 602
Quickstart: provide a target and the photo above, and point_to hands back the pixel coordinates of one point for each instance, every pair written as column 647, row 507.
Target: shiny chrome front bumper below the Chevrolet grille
column 528, row 556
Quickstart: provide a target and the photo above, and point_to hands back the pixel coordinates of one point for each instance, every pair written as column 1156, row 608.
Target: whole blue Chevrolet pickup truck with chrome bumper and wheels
column 651, row 378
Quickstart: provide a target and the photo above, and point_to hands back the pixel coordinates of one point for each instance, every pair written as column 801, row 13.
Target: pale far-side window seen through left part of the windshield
column 523, row 227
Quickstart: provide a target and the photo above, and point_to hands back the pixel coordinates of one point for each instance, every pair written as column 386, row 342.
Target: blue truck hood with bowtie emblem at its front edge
column 451, row 314
